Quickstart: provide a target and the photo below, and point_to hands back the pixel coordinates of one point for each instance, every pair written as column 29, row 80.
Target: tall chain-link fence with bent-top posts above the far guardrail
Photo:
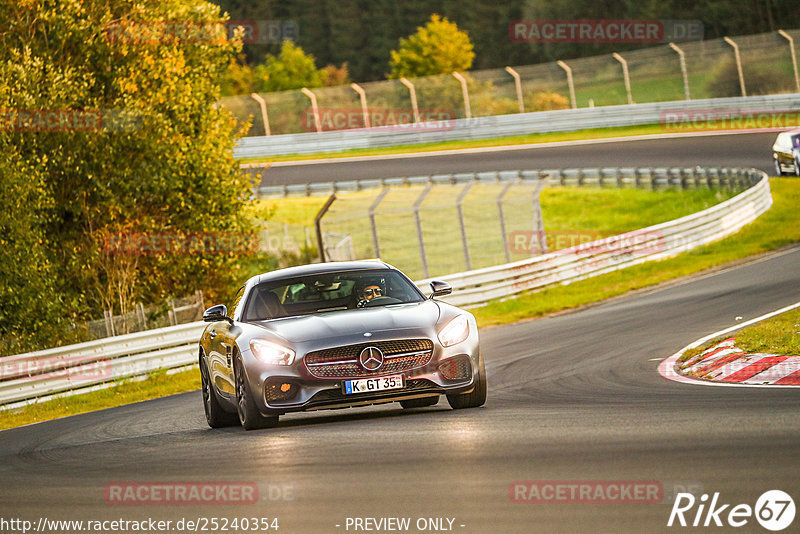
column 656, row 75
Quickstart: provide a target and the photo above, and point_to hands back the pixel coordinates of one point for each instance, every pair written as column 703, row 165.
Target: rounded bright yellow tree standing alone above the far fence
column 437, row 48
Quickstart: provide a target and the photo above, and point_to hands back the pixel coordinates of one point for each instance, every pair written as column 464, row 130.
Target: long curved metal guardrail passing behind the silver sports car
column 39, row 375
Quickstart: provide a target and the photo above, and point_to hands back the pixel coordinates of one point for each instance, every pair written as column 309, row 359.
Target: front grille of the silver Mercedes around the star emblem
column 342, row 362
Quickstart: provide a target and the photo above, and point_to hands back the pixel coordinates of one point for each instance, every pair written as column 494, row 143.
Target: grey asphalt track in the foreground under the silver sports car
column 573, row 397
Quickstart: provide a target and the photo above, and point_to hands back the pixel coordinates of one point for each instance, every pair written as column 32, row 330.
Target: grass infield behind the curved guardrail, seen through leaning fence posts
column 570, row 213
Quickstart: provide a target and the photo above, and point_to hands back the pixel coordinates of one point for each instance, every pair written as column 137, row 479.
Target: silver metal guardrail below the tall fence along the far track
column 504, row 125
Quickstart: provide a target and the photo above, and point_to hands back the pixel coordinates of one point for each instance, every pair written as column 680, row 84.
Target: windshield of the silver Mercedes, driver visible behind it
column 326, row 292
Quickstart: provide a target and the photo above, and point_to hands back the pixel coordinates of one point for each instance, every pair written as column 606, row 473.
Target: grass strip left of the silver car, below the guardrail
column 158, row 384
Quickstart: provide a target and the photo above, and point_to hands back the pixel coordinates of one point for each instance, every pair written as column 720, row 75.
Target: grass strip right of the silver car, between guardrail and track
column 778, row 227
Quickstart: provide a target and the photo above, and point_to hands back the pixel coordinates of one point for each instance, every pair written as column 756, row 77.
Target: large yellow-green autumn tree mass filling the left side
column 143, row 148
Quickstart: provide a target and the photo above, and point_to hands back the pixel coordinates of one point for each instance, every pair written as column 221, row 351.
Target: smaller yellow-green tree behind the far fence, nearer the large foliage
column 291, row 69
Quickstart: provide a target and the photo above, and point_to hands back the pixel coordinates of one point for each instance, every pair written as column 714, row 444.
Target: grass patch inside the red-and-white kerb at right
column 777, row 335
